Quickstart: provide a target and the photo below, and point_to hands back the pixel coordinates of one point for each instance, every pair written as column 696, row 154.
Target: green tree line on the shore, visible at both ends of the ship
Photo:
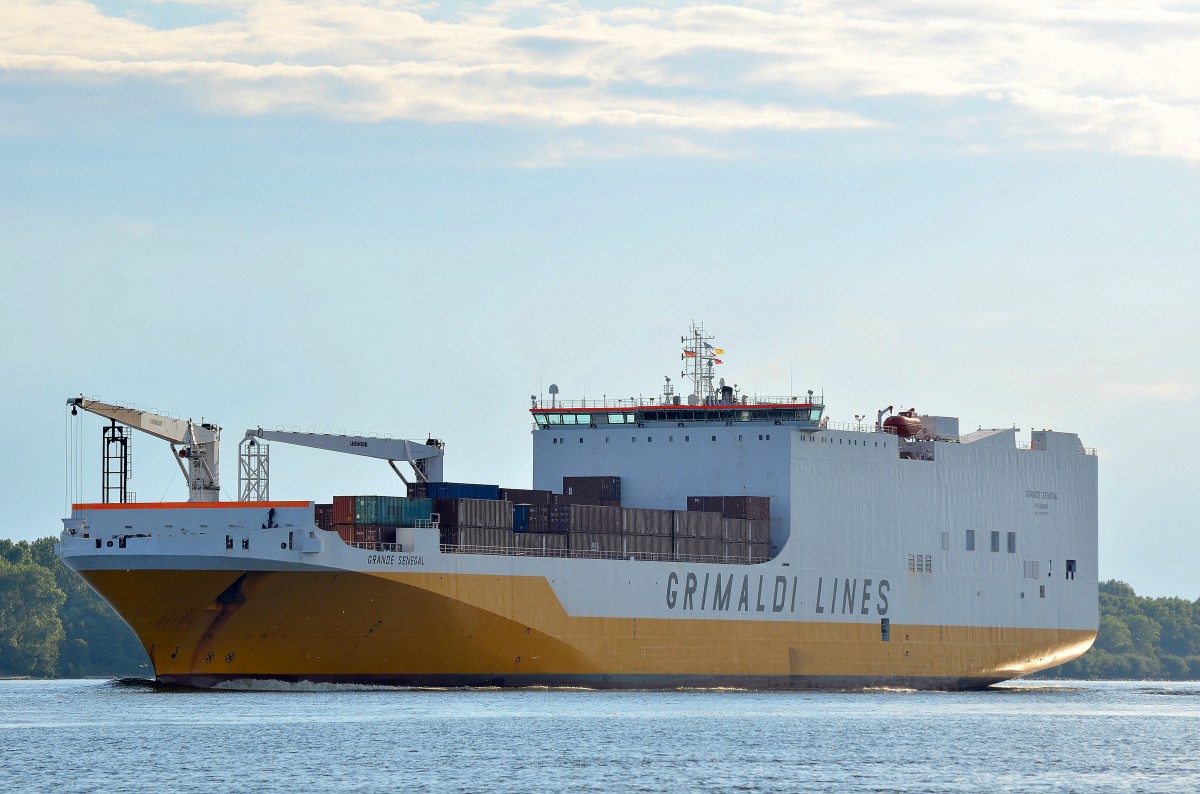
column 53, row 625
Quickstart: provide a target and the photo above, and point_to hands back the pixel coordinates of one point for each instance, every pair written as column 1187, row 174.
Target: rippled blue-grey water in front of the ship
column 134, row 737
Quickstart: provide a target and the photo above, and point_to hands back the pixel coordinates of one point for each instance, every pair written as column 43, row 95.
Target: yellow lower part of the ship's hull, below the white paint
column 203, row 628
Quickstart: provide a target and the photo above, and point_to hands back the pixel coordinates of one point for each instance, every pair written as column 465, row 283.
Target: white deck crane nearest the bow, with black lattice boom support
column 197, row 444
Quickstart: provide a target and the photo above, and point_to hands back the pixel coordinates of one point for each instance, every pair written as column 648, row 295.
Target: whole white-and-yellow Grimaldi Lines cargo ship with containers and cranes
column 713, row 539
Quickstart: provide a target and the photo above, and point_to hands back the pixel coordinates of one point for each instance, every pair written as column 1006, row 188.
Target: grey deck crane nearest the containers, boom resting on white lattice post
column 254, row 474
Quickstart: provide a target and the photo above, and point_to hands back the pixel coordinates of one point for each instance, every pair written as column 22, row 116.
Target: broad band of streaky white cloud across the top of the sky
column 1076, row 76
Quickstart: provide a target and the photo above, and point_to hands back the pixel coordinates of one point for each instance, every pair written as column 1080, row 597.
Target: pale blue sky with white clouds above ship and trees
column 407, row 218
